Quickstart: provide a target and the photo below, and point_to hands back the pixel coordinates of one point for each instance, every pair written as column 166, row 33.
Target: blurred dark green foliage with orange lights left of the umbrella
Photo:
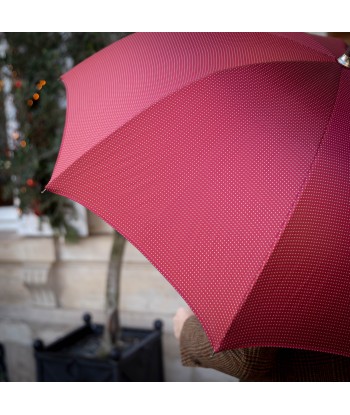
column 34, row 63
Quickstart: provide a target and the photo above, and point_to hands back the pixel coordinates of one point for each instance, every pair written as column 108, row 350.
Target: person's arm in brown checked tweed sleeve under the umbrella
column 249, row 364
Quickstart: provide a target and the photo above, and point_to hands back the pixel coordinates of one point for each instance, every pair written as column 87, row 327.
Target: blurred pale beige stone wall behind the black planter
column 46, row 288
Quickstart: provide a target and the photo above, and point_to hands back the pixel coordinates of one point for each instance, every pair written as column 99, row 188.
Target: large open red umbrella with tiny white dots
column 224, row 158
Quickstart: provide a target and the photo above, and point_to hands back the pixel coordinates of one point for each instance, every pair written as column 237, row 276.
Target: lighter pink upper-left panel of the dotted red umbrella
column 111, row 87
